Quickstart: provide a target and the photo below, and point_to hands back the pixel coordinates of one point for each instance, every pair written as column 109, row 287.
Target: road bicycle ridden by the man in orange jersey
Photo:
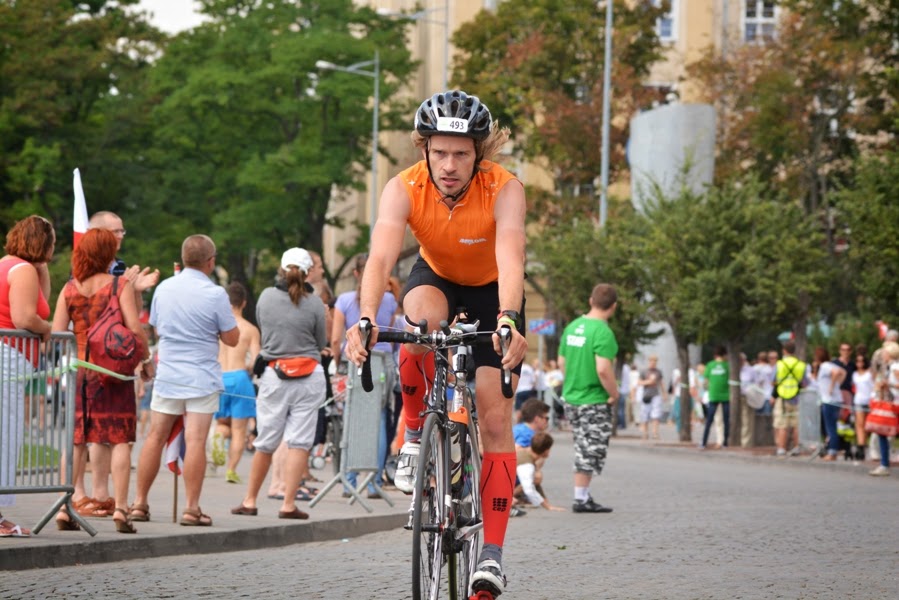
column 446, row 503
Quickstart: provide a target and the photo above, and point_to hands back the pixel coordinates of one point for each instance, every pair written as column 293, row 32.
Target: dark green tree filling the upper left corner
column 67, row 73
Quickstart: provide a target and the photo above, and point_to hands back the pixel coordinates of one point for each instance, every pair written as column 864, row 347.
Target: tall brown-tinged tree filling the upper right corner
column 798, row 108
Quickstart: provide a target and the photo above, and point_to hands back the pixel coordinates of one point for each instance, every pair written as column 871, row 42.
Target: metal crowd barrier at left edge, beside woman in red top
column 37, row 419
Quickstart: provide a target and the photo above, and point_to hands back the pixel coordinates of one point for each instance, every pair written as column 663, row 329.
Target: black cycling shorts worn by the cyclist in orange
column 481, row 302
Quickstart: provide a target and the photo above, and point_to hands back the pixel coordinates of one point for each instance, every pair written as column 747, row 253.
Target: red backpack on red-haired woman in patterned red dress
column 110, row 344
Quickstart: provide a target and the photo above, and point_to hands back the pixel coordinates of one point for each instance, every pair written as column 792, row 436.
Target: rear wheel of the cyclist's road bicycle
column 463, row 562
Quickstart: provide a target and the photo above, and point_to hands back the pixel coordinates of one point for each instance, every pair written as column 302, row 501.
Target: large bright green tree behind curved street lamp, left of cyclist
column 251, row 139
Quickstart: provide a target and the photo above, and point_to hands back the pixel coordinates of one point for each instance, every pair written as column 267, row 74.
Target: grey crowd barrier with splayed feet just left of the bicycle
column 361, row 428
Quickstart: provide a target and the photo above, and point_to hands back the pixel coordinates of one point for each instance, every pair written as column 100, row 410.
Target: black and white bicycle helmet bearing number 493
column 453, row 113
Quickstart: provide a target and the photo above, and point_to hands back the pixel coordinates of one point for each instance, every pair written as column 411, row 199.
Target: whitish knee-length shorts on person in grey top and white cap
column 287, row 409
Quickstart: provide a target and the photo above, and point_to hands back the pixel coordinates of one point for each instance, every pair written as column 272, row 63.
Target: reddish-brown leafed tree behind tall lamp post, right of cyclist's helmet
column 538, row 64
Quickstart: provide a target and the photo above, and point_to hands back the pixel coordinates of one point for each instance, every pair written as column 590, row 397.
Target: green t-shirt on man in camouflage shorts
column 582, row 341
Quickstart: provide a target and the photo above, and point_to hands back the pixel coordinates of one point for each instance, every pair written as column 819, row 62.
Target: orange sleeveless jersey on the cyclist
column 459, row 245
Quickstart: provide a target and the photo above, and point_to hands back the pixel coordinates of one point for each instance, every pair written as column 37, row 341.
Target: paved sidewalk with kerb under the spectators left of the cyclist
column 332, row 518
